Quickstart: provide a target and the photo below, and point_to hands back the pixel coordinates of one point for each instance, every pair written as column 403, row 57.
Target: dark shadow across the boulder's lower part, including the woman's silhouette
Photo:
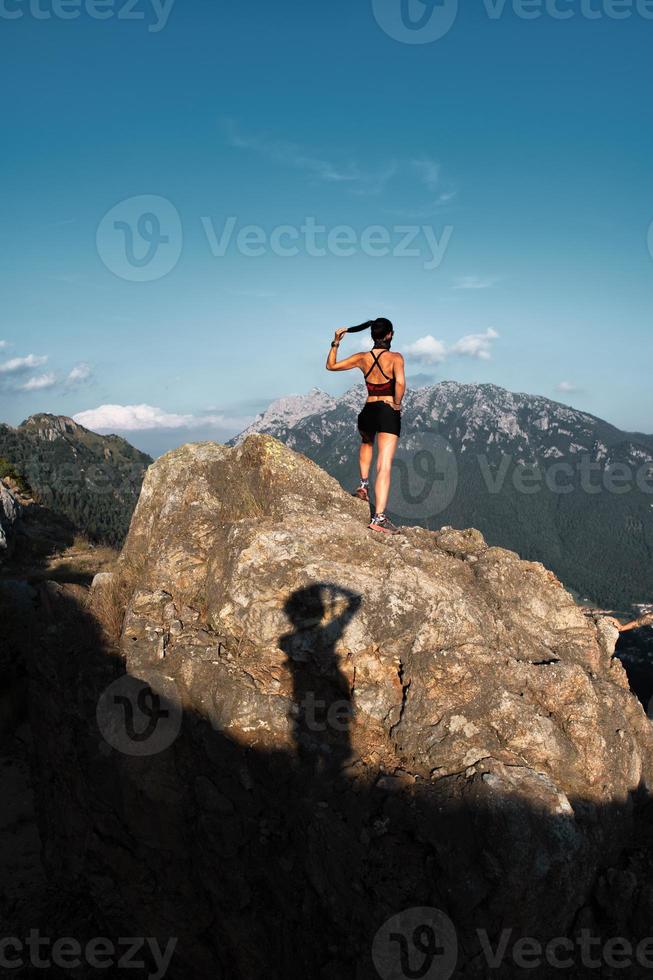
column 281, row 853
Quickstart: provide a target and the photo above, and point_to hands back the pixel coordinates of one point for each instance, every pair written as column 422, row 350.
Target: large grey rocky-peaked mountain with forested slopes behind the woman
column 552, row 483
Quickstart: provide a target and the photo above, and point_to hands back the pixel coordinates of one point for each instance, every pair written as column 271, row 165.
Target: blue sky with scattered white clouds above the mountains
column 516, row 152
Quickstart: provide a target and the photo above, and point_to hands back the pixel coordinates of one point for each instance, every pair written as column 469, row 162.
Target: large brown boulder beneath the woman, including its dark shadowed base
column 309, row 729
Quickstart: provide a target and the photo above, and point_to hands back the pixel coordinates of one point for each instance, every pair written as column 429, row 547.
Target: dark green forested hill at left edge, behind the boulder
column 92, row 480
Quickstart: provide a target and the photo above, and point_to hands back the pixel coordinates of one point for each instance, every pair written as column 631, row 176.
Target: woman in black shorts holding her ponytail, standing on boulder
column 381, row 416
